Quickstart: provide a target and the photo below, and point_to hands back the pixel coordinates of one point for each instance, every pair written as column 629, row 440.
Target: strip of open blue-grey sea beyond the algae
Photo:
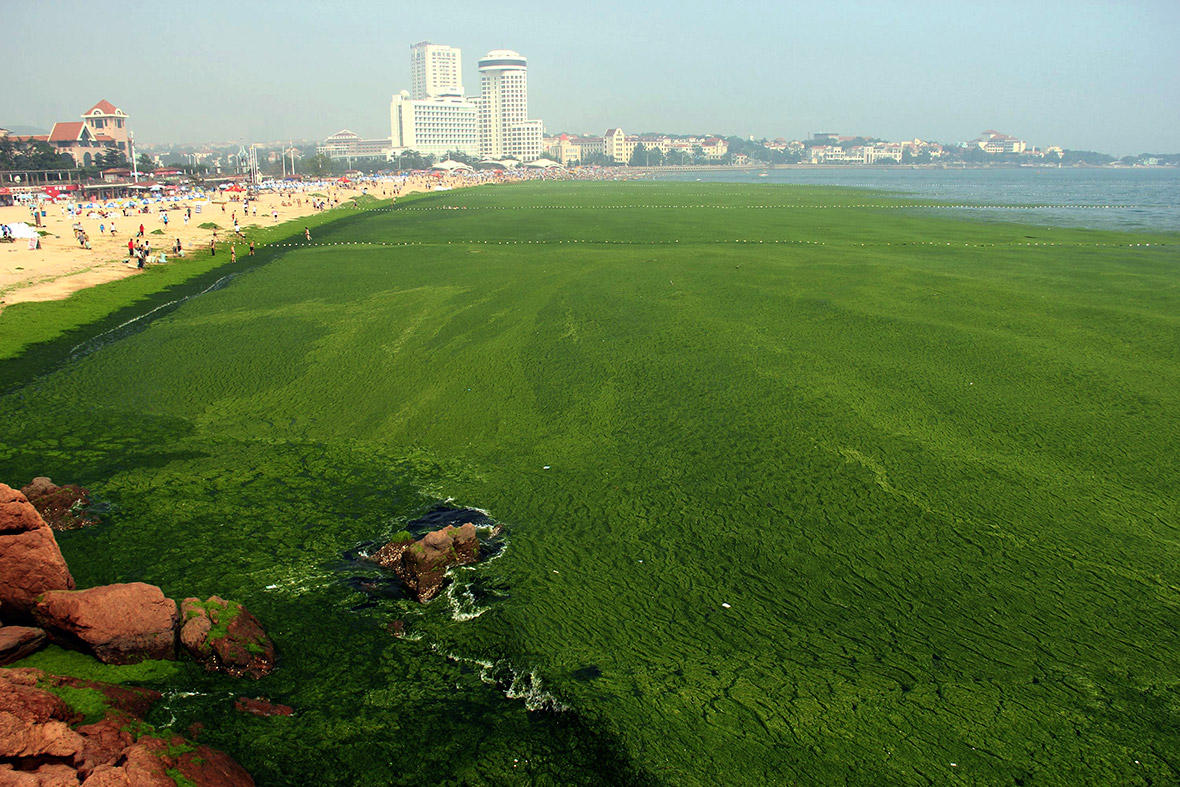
column 1117, row 199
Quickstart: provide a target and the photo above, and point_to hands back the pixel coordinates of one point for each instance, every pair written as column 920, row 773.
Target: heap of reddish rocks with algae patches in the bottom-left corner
column 43, row 742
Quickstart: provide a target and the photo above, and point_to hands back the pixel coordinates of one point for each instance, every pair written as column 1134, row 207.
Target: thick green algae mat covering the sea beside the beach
column 801, row 488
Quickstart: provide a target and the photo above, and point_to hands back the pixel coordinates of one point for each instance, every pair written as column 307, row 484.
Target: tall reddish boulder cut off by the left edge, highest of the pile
column 30, row 560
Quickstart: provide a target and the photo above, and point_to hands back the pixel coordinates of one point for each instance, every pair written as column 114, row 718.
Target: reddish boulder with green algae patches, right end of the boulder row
column 225, row 637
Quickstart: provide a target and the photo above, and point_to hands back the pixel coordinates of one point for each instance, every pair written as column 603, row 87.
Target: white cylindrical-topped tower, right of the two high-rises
column 504, row 128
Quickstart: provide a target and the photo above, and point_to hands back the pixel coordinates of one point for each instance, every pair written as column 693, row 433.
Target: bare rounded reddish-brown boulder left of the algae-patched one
column 120, row 625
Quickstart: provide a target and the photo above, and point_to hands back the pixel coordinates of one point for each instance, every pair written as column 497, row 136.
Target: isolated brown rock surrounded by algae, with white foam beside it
column 422, row 566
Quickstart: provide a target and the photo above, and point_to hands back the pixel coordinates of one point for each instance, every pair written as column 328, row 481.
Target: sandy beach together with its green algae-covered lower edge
column 61, row 291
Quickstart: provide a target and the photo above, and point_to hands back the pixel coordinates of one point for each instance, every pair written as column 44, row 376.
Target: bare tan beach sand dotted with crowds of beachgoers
column 62, row 266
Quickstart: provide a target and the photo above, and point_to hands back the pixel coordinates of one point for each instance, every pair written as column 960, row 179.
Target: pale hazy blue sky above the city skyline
column 1085, row 75
